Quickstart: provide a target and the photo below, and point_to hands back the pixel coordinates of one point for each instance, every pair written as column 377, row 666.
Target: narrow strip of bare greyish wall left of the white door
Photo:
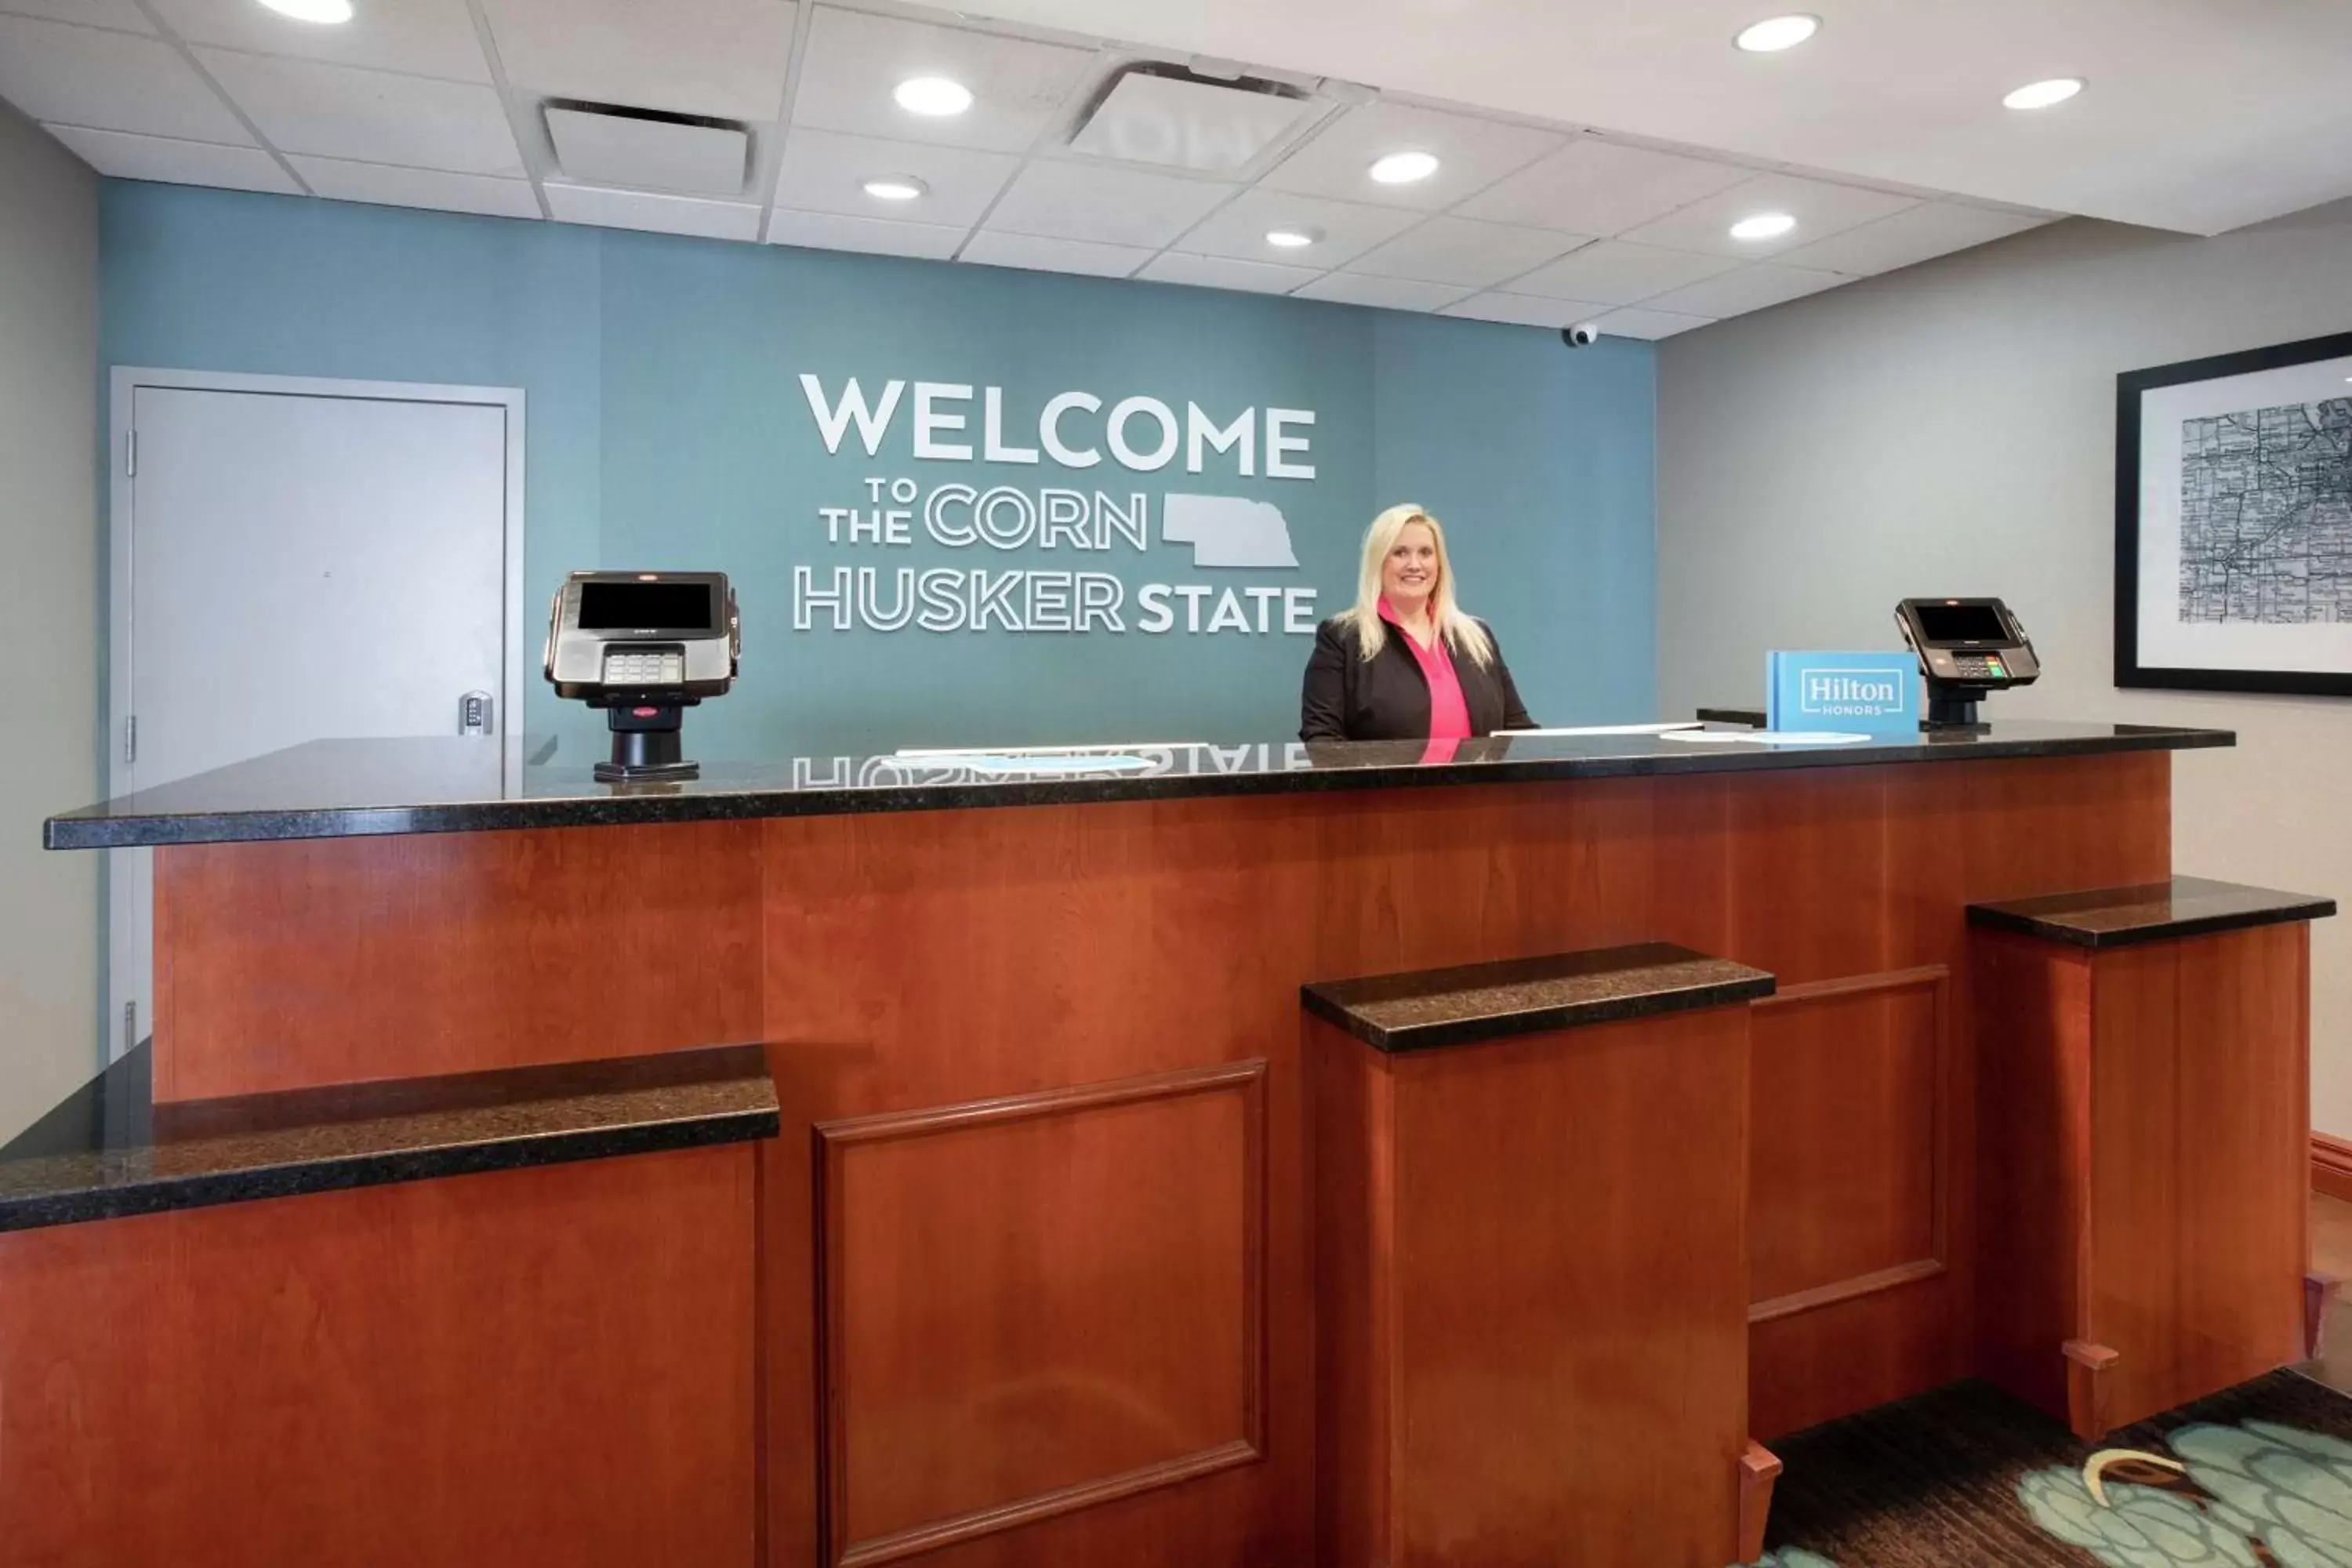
column 48, row 617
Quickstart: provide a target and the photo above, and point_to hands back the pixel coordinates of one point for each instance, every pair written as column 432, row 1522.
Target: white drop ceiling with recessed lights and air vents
column 1589, row 182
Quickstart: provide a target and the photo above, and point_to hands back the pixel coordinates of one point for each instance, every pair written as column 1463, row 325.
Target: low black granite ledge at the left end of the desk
column 109, row 1151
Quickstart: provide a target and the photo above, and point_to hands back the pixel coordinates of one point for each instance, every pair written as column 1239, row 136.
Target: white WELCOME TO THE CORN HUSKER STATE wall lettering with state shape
column 1062, row 556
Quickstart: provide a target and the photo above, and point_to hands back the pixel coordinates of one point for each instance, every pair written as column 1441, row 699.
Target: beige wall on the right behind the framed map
column 1951, row 429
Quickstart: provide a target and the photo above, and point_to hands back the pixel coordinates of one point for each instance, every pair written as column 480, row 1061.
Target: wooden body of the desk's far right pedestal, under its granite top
column 2144, row 1167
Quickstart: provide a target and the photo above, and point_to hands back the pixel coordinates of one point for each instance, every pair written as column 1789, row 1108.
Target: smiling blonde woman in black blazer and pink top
column 1408, row 664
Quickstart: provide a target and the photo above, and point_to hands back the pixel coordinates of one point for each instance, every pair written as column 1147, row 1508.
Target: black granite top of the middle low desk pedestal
column 1457, row 1007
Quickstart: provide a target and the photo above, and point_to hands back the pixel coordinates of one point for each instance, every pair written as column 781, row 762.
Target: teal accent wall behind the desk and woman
column 669, row 429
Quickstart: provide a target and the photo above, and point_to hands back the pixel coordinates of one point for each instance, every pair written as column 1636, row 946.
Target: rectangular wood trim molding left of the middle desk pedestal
column 836, row 1139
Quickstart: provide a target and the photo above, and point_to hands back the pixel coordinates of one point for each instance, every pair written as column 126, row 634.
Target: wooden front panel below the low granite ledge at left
column 547, row 1369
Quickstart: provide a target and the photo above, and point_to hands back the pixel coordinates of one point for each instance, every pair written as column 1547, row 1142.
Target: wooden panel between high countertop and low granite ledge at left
column 307, row 963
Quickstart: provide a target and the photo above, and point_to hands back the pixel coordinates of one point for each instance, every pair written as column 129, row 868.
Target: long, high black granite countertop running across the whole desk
column 335, row 789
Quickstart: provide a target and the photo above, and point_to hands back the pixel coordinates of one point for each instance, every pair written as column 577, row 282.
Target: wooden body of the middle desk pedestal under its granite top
column 1535, row 1301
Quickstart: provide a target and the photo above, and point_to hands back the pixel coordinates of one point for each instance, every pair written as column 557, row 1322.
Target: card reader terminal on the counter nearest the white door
column 643, row 648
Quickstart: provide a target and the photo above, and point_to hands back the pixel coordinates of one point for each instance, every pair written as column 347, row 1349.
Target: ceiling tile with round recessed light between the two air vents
column 855, row 60
